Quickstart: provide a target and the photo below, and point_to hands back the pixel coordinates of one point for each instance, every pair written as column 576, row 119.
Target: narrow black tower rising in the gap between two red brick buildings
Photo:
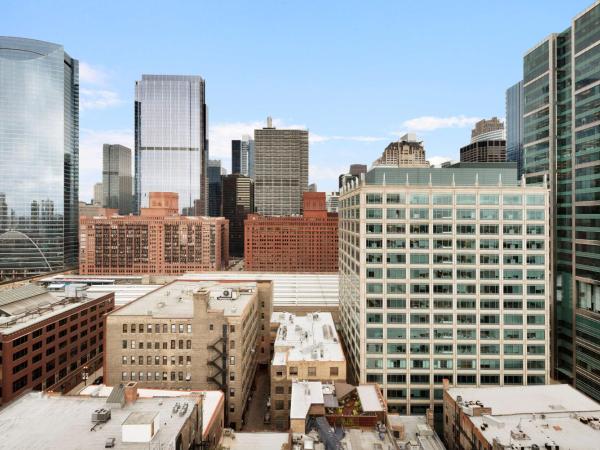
column 238, row 202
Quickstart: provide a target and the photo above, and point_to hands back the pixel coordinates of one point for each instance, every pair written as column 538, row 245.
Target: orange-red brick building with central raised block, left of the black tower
column 158, row 241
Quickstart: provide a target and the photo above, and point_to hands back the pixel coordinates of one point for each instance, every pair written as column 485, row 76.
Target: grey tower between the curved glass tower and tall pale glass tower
column 116, row 178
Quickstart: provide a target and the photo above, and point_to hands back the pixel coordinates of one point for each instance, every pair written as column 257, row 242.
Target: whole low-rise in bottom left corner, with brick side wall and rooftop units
column 119, row 418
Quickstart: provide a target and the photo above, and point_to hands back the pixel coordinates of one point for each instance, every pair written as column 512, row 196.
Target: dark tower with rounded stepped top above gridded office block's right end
column 488, row 143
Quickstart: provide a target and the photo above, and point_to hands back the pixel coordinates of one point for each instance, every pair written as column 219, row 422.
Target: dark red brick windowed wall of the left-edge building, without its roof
column 51, row 354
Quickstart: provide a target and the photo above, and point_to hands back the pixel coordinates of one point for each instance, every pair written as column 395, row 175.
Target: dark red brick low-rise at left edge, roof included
column 49, row 339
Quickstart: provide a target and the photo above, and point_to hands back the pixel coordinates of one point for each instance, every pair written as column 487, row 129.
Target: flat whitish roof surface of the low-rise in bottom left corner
column 66, row 421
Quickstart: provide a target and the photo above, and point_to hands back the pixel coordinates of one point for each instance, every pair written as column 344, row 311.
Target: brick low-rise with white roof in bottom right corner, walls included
column 524, row 417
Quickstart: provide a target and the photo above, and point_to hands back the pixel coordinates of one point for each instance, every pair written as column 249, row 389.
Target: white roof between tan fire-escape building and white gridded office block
column 306, row 338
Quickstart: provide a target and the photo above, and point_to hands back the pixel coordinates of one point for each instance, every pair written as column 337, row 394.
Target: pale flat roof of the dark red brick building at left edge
column 27, row 305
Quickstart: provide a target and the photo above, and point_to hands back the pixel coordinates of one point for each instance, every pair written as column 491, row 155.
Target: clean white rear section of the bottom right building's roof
column 527, row 399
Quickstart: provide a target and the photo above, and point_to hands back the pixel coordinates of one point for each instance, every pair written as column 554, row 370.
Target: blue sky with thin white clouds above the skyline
column 356, row 74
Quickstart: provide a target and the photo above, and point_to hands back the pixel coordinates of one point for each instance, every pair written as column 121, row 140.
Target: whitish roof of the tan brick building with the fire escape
column 176, row 299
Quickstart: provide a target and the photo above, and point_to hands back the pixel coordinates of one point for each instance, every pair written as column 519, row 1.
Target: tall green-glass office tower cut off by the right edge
column 562, row 138
